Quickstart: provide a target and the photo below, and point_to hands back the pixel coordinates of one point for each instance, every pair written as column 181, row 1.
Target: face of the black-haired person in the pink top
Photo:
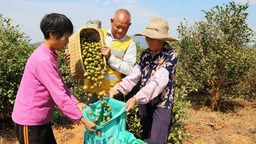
column 59, row 44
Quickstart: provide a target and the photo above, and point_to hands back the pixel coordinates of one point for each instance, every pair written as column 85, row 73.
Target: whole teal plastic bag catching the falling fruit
column 112, row 131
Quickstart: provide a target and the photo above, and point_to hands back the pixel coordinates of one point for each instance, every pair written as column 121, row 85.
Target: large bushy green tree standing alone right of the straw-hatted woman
column 213, row 53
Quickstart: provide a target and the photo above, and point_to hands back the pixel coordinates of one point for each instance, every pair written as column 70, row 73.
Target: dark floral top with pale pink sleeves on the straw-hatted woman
column 156, row 76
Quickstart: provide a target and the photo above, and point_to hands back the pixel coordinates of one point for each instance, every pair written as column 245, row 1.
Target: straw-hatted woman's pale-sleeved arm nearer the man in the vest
column 127, row 82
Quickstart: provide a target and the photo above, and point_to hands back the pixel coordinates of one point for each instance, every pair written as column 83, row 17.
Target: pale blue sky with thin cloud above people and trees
column 28, row 13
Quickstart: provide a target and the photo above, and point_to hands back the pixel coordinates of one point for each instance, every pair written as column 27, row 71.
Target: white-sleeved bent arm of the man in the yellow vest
column 125, row 65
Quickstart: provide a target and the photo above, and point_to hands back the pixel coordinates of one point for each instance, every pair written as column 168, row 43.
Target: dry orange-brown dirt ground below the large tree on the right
column 233, row 127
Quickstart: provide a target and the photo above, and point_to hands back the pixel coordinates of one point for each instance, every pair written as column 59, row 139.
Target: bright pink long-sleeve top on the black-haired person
column 41, row 89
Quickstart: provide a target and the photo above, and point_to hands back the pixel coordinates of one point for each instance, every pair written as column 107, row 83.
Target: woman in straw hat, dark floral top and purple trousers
column 155, row 71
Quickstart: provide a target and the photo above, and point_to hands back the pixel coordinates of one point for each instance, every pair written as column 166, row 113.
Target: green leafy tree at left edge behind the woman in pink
column 14, row 50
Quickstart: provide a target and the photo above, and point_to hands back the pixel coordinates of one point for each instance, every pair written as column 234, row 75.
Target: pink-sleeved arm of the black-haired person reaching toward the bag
column 48, row 73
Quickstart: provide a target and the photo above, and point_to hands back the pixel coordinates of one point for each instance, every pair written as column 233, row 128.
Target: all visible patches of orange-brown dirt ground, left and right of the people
column 237, row 126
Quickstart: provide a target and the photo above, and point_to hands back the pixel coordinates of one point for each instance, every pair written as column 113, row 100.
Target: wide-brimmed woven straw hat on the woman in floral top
column 157, row 29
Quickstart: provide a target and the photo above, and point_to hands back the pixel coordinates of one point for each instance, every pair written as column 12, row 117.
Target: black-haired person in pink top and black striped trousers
column 42, row 87
